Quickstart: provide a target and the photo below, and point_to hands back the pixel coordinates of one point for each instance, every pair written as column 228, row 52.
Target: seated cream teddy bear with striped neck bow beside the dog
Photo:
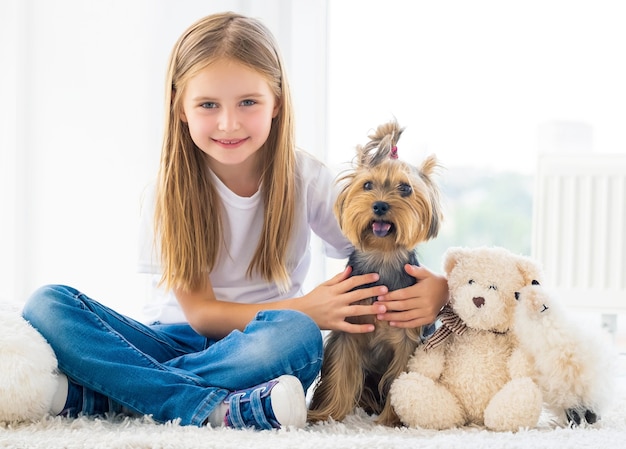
column 471, row 370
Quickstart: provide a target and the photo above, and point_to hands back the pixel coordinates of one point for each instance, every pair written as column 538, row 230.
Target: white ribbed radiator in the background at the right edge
column 579, row 229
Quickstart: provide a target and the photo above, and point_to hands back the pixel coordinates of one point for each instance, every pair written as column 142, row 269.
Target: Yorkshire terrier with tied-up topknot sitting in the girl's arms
column 386, row 208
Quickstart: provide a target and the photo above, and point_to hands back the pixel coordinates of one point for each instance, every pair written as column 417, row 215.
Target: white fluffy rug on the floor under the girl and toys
column 357, row 431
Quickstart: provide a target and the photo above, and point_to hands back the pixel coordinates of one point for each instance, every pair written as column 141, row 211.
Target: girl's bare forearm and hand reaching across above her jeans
column 328, row 305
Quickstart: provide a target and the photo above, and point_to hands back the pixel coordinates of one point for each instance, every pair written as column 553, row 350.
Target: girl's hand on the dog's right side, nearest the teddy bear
column 418, row 304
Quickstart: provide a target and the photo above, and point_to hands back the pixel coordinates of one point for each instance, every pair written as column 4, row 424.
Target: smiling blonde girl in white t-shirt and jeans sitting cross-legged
column 234, row 341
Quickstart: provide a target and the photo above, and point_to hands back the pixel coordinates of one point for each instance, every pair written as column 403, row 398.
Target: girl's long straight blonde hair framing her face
column 186, row 198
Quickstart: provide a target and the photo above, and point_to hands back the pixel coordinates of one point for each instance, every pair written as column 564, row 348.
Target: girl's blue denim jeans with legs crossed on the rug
column 167, row 371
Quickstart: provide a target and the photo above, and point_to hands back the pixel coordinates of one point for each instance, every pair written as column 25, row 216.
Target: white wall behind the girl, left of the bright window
column 82, row 108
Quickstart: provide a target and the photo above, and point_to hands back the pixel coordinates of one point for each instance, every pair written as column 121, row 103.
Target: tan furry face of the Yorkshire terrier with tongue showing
column 389, row 205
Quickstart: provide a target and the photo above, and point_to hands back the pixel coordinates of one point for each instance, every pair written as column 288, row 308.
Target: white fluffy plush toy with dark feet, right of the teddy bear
column 574, row 365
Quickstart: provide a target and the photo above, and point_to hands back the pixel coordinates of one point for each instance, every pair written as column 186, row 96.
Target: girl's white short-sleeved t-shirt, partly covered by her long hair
column 242, row 226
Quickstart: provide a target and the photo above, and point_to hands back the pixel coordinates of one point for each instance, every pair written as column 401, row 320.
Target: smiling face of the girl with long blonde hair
column 229, row 109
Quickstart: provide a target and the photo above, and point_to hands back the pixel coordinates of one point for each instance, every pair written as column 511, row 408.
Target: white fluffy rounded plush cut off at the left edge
column 28, row 369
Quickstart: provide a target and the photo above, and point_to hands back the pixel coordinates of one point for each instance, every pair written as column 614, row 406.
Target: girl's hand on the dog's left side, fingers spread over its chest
column 331, row 302
